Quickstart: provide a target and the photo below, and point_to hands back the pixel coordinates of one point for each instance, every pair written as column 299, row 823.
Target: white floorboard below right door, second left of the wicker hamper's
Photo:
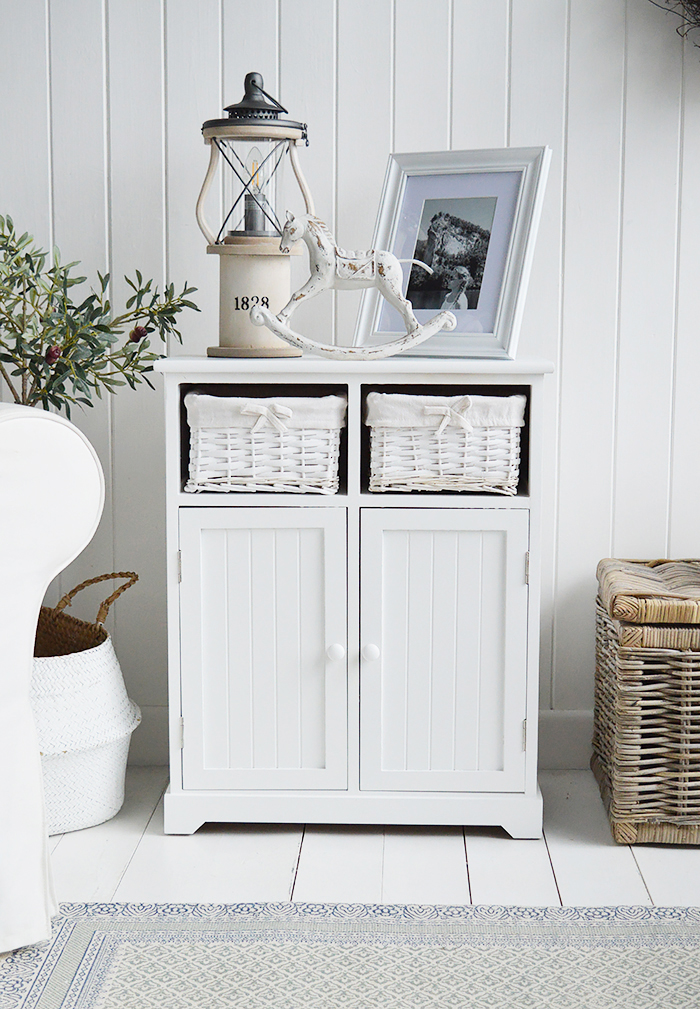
column 425, row 866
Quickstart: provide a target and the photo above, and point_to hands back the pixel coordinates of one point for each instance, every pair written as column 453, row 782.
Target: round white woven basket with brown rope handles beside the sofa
column 84, row 717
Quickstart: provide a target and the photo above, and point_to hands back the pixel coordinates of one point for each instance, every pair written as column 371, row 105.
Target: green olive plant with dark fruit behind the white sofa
column 54, row 353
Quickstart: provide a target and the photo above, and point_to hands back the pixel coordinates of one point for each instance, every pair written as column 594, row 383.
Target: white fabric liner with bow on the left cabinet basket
column 280, row 413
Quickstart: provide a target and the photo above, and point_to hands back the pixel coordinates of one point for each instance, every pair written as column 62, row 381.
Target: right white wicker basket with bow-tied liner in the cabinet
column 445, row 443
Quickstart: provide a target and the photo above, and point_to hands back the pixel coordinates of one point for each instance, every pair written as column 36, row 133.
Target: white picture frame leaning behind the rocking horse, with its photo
column 428, row 209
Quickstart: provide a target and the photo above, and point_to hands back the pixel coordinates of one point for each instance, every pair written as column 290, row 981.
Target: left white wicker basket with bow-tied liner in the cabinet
column 286, row 444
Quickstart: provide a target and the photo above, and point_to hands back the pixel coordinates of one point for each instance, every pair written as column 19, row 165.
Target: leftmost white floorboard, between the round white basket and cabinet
column 88, row 864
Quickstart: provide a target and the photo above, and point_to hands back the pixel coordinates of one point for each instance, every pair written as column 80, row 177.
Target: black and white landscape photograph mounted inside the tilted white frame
column 453, row 242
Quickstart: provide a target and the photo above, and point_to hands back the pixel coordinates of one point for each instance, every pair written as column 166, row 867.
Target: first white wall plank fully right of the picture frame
column 590, row 351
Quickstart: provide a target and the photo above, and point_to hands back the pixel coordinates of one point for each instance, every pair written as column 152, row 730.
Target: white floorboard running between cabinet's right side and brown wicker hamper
column 592, row 870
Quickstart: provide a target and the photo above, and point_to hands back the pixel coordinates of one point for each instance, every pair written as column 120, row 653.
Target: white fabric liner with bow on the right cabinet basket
column 390, row 410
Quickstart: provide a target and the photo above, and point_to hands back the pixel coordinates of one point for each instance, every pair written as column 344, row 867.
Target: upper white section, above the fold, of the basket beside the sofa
column 80, row 701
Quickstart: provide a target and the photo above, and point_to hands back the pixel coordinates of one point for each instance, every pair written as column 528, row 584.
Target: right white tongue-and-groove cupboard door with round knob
column 444, row 636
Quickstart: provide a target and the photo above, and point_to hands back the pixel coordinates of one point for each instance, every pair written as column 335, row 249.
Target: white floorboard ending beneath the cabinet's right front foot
column 506, row 871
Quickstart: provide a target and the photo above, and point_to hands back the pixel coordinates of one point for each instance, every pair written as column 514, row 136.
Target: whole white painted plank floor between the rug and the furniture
column 576, row 862
